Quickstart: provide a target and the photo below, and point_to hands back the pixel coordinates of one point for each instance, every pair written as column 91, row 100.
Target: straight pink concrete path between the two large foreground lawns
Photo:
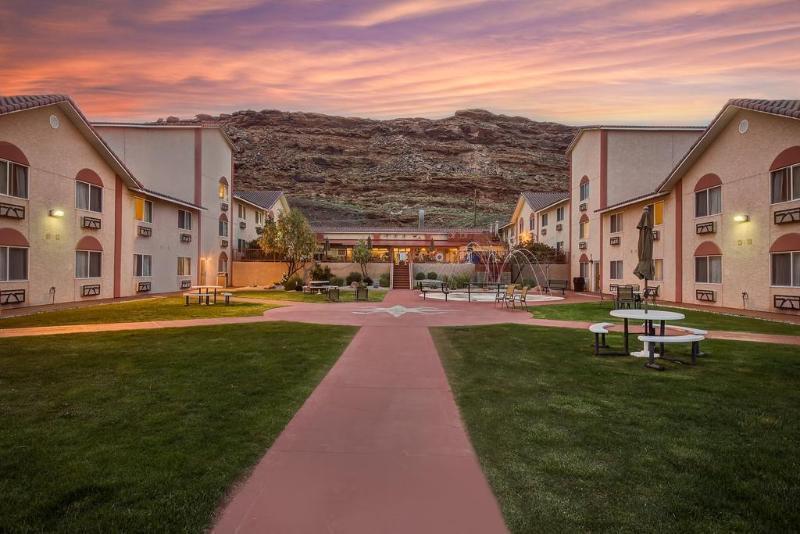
column 378, row 447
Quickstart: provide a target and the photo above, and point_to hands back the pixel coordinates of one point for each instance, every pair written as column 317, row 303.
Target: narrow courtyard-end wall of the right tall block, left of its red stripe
column 585, row 161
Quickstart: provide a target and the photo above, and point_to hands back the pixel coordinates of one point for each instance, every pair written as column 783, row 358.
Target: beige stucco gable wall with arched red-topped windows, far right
column 742, row 162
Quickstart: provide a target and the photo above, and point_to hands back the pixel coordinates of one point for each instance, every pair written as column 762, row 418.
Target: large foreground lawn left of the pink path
column 146, row 431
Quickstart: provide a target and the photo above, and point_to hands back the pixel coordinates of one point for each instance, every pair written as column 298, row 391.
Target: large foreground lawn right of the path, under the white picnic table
column 576, row 443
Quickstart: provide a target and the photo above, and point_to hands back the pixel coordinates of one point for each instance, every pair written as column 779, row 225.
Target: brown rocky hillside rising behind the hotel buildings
column 348, row 170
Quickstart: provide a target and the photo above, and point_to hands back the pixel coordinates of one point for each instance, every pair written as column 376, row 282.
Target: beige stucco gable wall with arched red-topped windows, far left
column 56, row 156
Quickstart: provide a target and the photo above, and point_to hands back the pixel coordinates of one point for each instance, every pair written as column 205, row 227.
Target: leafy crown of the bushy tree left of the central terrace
column 291, row 239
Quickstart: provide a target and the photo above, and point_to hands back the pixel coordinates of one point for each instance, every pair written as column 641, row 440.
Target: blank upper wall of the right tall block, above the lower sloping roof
column 639, row 160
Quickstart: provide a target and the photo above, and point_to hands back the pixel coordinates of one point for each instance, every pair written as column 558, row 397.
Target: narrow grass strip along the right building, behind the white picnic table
column 598, row 311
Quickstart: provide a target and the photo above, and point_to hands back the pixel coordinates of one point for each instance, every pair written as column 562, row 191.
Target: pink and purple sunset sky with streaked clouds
column 572, row 61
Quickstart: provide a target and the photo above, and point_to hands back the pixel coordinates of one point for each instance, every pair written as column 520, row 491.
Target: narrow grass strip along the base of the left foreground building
column 155, row 309
